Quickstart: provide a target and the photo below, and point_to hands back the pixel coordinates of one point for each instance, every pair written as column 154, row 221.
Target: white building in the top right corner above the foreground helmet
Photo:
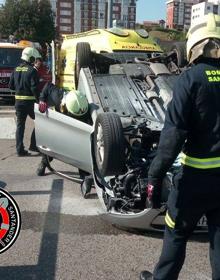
column 203, row 8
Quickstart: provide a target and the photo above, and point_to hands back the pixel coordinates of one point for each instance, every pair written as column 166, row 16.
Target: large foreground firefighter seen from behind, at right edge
column 192, row 125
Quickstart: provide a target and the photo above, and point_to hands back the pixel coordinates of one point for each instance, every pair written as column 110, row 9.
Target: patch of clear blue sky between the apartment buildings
column 150, row 10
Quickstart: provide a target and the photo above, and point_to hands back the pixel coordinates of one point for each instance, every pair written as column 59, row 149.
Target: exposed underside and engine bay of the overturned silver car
column 129, row 101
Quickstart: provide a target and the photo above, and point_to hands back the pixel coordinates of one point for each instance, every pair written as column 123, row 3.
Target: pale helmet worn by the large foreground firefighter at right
column 208, row 27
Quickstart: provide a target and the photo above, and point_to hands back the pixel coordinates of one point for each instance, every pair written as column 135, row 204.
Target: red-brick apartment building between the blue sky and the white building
column 179, row 13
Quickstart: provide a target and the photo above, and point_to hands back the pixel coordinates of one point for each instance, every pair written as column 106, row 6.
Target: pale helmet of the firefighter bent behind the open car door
column 76, row 103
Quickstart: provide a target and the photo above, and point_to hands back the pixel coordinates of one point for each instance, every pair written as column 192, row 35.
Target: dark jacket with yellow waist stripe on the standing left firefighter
column 24, row 80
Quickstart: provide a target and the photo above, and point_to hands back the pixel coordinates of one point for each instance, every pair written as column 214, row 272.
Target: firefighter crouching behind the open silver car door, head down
column 73, row 104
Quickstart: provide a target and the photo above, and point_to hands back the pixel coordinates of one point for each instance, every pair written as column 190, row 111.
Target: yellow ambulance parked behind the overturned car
column 99, row 48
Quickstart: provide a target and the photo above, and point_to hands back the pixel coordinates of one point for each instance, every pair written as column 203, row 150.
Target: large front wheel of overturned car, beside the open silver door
column 109, row 145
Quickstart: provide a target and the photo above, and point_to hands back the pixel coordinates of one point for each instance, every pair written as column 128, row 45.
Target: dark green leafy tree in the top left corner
column 27, row 19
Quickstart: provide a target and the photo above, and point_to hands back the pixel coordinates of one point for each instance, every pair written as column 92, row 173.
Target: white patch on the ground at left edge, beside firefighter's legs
column 7, row 128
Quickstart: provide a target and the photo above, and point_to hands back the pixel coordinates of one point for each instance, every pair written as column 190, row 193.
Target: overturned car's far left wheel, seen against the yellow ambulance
column 83, row 59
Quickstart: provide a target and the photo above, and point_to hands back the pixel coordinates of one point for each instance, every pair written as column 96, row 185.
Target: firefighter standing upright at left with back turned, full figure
column 24, row 81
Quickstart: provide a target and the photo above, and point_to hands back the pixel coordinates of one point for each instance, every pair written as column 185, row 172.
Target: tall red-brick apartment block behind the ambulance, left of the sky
column 82, row 15
